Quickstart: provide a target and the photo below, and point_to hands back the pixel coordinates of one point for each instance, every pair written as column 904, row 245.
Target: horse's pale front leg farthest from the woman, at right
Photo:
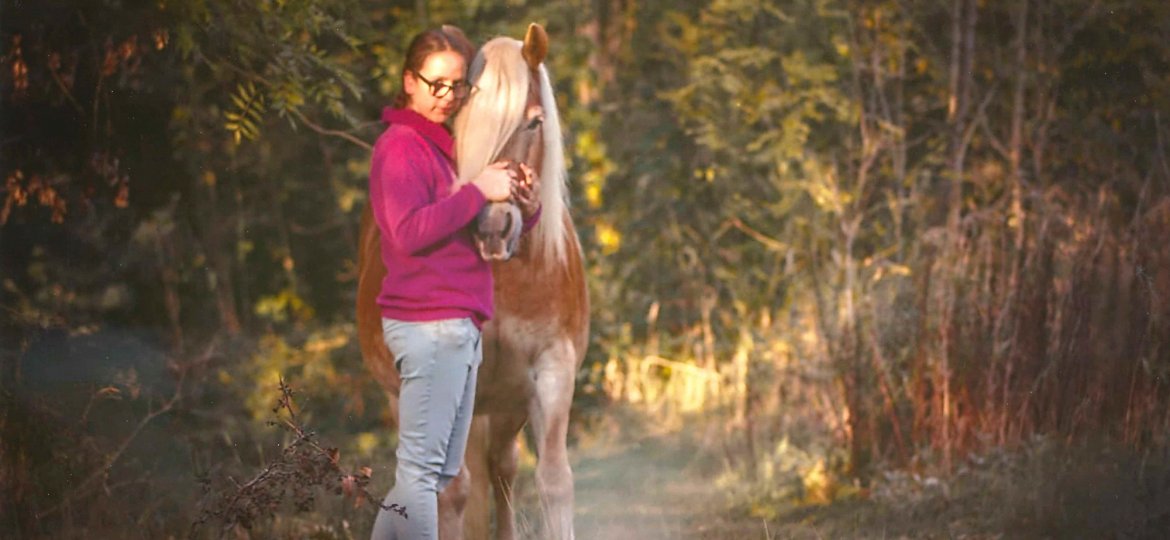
column 554, row 380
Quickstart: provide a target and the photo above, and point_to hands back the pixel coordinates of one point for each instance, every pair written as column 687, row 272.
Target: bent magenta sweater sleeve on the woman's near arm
column 415, row 219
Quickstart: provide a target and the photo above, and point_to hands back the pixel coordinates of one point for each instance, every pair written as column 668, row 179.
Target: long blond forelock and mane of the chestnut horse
column 498, row 107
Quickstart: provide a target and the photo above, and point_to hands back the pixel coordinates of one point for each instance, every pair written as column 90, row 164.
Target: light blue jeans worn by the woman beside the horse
column 438, row 362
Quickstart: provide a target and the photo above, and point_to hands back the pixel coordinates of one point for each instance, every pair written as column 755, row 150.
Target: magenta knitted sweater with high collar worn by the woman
column 433, row 269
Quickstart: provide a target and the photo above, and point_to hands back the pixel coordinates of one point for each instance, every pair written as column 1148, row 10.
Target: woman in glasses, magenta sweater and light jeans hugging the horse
column 437, row 294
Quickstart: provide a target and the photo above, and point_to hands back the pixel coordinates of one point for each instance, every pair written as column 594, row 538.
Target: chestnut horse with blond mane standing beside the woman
column 536, row 342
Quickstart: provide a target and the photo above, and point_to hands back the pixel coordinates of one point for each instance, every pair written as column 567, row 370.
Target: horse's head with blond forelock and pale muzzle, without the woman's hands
column 505, row 120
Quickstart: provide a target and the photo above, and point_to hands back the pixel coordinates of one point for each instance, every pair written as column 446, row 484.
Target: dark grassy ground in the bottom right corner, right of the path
column 1041, row 491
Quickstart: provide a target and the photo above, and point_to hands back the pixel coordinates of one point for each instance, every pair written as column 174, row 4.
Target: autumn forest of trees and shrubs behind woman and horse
column 868, row 241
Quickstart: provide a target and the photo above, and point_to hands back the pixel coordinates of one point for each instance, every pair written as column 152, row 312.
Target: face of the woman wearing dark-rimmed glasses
column 444, row 74
